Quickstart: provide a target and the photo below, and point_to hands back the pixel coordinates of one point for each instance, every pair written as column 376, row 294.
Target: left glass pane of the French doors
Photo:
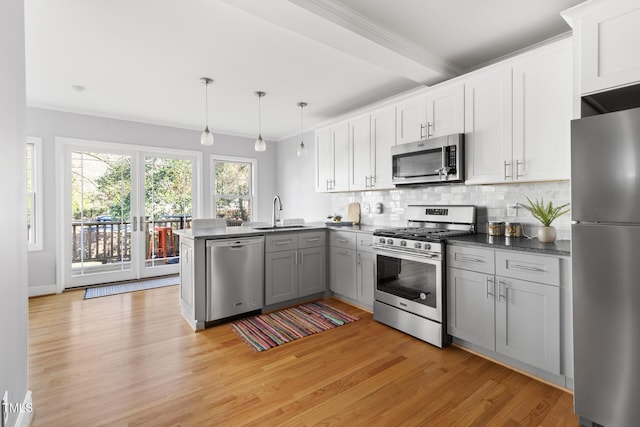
column 101, row 209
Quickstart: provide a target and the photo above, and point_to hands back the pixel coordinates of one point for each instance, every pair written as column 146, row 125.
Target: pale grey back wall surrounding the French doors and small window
column 48, row 124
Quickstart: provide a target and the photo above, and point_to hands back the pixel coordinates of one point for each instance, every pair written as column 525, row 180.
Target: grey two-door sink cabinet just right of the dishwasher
column 295, row 266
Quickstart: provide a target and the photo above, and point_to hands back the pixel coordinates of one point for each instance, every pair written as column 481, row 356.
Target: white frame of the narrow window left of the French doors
column 36, row 193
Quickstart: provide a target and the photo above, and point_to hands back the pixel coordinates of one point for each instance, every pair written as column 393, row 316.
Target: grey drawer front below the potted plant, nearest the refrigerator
column 535, row 268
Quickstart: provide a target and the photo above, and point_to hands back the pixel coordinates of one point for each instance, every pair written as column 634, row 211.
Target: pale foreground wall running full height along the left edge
column 13, row 253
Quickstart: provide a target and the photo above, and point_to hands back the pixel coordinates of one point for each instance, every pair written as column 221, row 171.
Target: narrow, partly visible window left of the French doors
column 33, row 156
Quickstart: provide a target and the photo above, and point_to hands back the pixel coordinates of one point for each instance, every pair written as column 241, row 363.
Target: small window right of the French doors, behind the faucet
column 233, row 189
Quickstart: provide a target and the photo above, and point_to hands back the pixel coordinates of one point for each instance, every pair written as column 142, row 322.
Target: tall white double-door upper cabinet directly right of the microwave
column 518, row 118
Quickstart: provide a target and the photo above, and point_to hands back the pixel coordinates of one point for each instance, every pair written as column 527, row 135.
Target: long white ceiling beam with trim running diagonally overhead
column 330, row 23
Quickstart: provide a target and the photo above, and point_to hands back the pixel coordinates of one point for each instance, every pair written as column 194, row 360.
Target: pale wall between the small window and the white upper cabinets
column 296, row 181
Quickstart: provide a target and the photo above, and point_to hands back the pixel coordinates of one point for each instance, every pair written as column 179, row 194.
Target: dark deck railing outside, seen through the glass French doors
column 110, row 241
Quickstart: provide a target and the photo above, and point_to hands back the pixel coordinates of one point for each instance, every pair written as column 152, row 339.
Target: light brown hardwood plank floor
column 132, row 360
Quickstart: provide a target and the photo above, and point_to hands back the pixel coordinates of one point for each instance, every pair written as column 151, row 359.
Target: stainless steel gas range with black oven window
column 409, row 262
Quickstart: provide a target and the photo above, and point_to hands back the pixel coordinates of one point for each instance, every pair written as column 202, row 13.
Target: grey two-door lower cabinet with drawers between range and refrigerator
column 489, row 303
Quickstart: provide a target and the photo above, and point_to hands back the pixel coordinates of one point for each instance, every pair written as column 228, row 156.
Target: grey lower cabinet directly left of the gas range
column 351, row 266
